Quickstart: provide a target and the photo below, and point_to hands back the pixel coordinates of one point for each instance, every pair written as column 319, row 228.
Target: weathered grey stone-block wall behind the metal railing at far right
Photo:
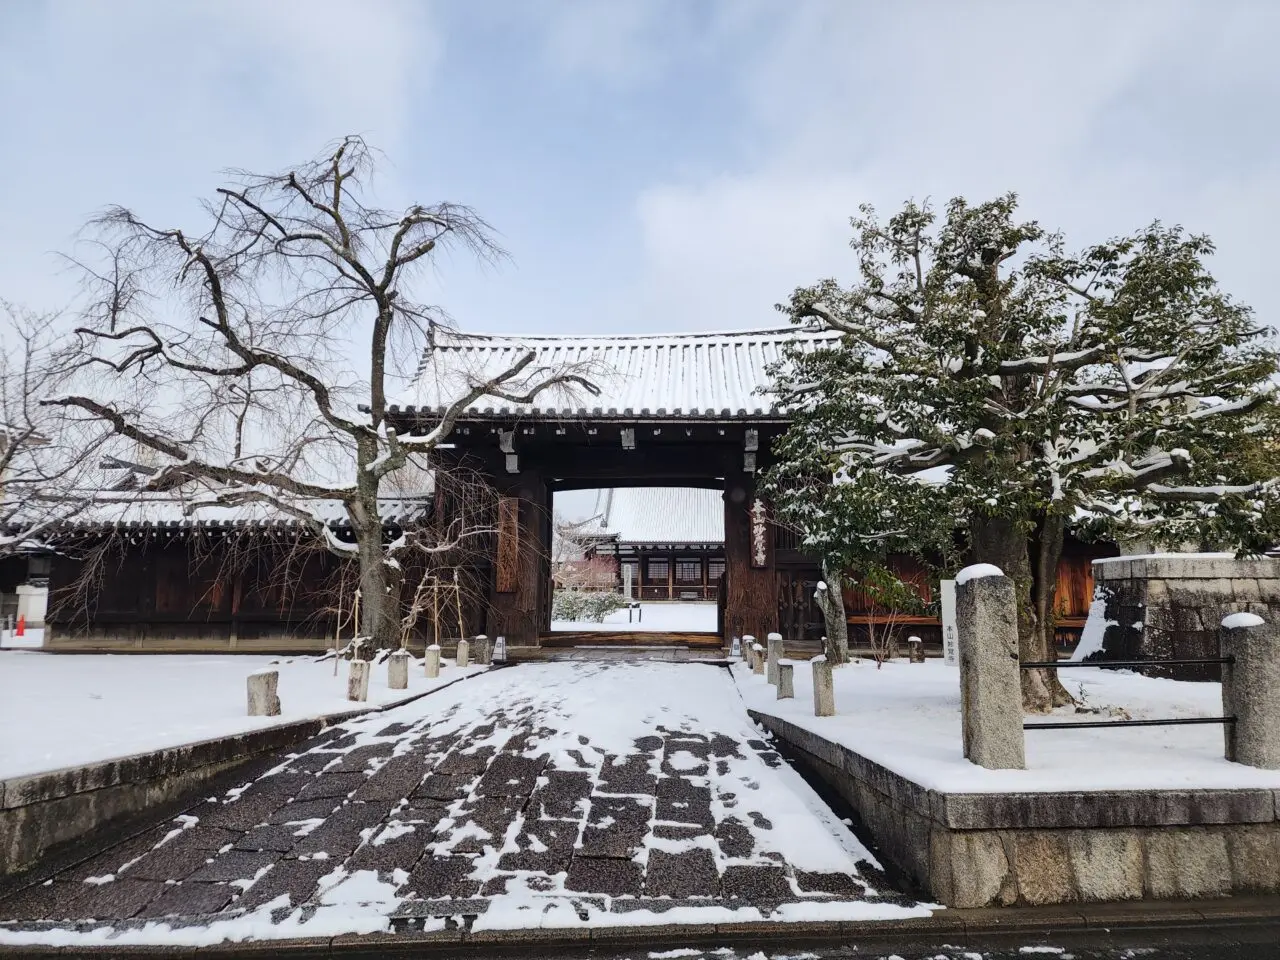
column 1171, row 606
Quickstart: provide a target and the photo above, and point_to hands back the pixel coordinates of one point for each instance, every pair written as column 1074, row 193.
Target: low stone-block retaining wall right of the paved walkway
column 976, row 851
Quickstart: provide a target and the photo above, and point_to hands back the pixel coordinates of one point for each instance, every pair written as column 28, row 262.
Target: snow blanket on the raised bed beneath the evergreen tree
column 907, row 719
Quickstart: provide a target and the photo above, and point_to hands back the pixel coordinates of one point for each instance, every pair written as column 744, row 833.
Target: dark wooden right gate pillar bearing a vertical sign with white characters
column 751, row 602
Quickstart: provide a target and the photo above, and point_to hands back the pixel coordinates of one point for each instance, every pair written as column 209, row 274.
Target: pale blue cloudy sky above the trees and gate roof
column 651, row 164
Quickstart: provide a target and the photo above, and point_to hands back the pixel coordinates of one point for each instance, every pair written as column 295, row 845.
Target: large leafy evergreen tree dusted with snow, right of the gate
column 990, row 390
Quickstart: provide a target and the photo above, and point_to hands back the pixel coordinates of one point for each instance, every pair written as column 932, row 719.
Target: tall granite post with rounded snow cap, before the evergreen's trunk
column 991, row 694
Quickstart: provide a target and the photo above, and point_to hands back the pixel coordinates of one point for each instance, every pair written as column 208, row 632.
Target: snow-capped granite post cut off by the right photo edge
column 1251, row 691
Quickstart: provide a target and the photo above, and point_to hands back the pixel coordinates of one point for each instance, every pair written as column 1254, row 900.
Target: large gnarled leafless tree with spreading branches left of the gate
column 228, row 351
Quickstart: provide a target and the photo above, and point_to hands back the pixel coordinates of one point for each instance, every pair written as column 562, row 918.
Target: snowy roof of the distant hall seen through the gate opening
column 662, row 515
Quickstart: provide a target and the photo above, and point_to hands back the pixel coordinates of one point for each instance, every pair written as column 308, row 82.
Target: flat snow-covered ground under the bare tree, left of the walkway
column 70, row 710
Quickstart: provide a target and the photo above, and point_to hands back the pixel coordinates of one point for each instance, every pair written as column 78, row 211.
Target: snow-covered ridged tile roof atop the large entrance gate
column 651, row 377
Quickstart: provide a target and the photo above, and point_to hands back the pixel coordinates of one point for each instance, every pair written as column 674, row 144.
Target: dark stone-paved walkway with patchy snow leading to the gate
column 540, row 796
